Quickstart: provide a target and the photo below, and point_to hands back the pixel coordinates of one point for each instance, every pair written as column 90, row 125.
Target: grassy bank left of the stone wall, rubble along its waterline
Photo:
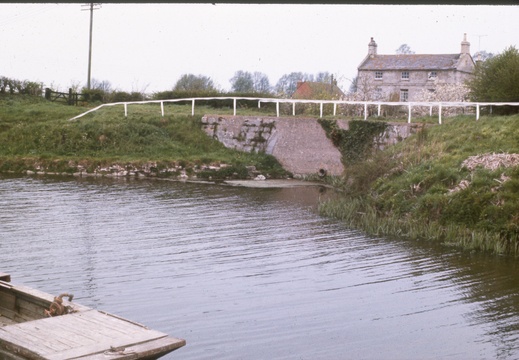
column 36, row 135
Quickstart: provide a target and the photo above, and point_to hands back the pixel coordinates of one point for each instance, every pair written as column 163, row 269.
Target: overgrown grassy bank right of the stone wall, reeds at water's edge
column 433, row 187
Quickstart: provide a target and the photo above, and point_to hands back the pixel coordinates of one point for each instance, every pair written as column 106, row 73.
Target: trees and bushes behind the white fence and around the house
column 496, row 79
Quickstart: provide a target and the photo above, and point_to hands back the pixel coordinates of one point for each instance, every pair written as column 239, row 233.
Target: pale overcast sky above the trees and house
column 148, row 47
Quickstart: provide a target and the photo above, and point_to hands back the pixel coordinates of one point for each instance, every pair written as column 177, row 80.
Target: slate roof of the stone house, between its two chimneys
column 411, row 62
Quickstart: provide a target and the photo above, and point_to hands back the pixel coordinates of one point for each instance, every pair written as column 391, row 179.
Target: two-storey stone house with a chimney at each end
column 403, row 77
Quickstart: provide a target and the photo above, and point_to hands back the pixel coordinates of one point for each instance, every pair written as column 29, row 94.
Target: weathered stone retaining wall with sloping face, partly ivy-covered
column 299, row 144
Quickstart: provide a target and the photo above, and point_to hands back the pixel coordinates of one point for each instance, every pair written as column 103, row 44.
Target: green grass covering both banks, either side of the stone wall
column 403, row 191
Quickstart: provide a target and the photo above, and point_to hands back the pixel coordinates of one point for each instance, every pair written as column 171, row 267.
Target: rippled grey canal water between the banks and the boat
column 246, row 273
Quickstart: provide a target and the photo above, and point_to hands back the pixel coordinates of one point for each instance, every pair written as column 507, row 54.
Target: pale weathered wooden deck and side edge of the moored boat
column 84, row 333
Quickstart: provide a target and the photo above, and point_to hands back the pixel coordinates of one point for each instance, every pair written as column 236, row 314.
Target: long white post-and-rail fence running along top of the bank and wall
column 335, row 103
